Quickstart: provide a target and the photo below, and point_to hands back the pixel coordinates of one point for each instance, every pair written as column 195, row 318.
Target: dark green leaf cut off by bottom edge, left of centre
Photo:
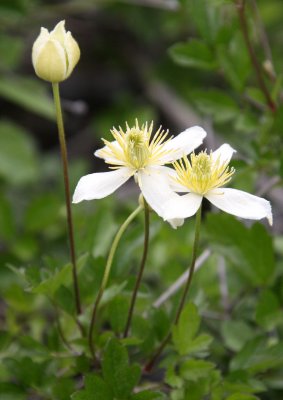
column 95, row 388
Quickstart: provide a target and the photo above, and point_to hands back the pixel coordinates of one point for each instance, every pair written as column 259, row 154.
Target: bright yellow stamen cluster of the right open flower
column 202, row 173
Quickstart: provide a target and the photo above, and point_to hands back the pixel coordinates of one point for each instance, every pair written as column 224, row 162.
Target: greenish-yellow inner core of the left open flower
column 137, row 148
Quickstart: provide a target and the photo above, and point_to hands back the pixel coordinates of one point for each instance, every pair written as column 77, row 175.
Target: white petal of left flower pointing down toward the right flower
column 155, row 188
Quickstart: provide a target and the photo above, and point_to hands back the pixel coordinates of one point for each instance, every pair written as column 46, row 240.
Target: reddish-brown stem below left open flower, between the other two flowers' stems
column 141, row 269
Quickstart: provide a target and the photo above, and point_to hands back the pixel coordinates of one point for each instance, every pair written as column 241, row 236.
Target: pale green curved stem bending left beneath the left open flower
column 106, row 275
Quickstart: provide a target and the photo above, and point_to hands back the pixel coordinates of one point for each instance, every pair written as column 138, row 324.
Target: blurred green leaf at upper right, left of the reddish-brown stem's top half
column 193, row 54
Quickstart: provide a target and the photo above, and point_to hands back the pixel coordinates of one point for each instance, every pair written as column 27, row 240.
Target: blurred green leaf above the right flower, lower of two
column 217, row 104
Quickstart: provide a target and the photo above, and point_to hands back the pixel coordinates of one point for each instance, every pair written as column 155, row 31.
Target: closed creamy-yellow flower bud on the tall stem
column 55, row 54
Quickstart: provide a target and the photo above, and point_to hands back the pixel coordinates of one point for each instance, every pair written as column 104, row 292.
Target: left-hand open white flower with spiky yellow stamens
column 140, row 153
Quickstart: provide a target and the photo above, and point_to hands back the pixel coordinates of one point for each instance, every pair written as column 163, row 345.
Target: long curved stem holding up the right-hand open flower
column 156, row 355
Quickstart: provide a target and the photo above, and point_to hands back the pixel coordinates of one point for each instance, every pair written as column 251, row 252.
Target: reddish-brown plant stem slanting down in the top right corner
column 240, row 4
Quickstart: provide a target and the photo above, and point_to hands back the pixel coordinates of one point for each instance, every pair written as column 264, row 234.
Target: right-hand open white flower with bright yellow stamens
column 203, row 176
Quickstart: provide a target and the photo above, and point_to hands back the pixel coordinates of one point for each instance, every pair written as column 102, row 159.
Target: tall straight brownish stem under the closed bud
column 64, row 156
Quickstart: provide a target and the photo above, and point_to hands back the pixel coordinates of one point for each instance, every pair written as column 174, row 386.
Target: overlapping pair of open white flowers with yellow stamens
column 140, row 153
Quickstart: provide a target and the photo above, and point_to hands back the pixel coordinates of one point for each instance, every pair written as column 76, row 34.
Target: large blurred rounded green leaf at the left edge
column 18, row 157
